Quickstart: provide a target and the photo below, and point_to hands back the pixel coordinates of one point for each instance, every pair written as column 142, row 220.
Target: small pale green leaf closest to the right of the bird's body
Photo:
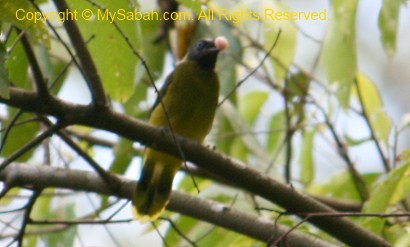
column 251, row 104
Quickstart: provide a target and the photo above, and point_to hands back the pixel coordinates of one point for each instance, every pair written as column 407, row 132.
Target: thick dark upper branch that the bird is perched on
column 236, row 172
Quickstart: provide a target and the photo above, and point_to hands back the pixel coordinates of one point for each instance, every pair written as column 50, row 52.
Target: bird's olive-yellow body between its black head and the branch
column 190, row 101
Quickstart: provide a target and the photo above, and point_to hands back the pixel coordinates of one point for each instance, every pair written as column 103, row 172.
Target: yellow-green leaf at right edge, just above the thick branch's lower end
column 388, row 192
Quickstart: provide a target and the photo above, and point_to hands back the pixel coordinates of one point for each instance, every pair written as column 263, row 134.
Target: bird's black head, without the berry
column 205, row 53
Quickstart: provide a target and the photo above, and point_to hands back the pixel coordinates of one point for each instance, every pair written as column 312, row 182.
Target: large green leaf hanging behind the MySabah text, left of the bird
column 115, row 61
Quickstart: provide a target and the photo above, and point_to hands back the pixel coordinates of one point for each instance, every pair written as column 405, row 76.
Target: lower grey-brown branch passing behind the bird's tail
column 263, row 229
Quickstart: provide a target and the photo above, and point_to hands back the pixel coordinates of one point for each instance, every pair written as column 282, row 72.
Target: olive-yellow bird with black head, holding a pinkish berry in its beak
column 185, row 105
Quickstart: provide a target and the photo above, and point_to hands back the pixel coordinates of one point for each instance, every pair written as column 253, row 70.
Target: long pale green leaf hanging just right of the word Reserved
column 339, row 51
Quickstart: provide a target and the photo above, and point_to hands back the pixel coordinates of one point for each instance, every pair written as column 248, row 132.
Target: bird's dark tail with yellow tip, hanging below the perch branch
column 153, row 190
